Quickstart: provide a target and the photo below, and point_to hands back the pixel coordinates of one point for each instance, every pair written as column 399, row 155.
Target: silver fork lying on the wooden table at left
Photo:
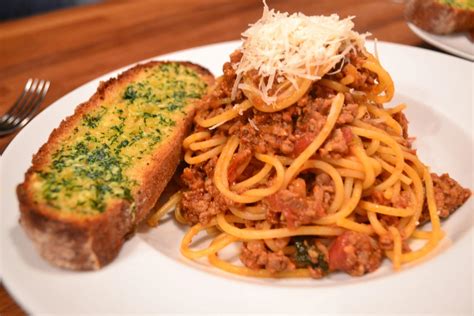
column 25, row 107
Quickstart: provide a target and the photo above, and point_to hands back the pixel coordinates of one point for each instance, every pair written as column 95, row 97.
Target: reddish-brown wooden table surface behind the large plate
column 73, row 46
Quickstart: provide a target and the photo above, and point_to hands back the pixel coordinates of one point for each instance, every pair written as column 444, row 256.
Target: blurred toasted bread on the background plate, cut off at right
column 438, row 18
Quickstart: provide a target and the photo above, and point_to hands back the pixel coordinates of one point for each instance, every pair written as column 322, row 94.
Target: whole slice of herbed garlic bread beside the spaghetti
column 103, row 169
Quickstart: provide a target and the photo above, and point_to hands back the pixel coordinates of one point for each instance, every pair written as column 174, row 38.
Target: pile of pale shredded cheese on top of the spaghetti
column 283, row 47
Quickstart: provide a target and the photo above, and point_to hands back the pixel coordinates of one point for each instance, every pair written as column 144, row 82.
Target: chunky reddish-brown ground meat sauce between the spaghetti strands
column 308, row 197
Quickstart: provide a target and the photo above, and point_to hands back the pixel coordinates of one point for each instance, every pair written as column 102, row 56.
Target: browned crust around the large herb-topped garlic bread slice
column 90, row 242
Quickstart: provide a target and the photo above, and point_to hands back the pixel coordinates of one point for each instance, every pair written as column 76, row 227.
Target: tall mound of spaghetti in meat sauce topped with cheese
column 311, row 175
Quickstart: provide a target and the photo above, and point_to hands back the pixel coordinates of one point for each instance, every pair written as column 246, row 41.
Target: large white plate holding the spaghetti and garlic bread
column 150, row 275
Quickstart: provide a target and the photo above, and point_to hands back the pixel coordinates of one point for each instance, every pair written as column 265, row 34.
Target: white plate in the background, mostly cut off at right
column 457, row 44
